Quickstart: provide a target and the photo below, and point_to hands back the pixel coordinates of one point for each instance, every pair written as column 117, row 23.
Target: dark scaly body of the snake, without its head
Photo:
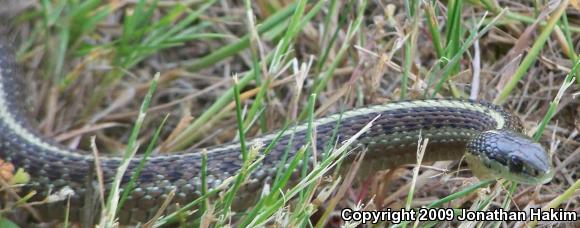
column 393, row 131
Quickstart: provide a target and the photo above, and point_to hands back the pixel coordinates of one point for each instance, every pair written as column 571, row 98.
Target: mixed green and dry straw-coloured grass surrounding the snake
column 296, row 61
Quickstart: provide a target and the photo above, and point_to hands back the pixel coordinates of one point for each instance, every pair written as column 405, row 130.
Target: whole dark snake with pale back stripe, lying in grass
column 491, row 139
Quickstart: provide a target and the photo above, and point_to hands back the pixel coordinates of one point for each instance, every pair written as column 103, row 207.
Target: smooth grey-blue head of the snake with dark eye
column 509, row 155
